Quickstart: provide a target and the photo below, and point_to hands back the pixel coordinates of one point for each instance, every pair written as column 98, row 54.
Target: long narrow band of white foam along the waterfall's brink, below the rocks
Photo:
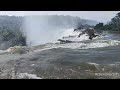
column 94, row 44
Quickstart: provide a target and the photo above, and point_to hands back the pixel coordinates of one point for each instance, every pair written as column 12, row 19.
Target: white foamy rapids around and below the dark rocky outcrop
column 82, row 42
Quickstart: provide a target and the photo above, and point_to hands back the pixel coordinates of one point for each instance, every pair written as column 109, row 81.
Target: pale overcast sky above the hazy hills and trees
column 101, row 16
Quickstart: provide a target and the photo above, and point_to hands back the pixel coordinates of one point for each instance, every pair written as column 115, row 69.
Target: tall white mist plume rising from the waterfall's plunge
column 41, row 30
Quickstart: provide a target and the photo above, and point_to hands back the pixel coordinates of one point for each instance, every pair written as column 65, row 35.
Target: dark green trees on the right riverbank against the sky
column 113, row 25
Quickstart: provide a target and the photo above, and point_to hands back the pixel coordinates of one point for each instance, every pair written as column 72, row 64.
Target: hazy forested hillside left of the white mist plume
column 10, row 32
